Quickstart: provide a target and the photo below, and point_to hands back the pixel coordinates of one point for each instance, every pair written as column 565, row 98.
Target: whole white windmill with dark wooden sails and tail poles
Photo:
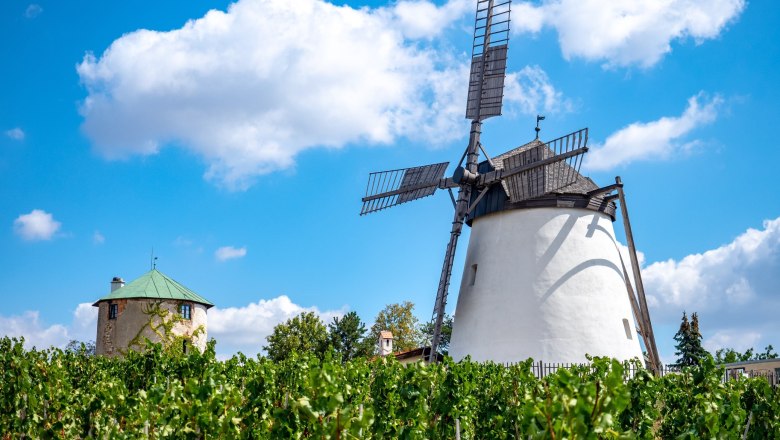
column 540, row 233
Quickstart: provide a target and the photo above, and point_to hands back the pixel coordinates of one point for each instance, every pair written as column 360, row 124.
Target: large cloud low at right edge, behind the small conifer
column 734, row 288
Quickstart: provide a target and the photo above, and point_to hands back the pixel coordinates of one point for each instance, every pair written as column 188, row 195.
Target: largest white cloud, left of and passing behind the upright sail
column 247, row 91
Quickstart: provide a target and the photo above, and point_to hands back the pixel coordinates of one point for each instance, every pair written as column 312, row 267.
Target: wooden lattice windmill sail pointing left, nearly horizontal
column 393, row 187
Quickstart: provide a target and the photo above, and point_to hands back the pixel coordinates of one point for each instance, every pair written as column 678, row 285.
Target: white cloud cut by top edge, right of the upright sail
column 626, row 32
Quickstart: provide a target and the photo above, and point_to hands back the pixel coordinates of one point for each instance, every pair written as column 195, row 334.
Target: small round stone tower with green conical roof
column 153, row 307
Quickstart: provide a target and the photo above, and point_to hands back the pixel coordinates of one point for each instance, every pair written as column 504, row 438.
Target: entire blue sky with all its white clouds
column 233, row 142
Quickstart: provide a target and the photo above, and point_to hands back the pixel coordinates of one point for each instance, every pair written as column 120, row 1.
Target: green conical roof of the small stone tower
column 155, row 285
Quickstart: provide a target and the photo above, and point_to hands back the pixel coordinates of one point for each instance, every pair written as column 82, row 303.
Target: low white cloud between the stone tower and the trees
column 245, row 328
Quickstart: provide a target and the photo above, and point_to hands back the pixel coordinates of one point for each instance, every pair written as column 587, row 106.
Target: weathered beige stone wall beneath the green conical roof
column 114, row 336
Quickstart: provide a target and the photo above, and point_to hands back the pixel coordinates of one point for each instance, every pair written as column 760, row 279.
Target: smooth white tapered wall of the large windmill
column 544, row 283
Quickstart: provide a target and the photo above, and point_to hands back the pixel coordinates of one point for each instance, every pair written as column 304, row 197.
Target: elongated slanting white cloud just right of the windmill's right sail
column 660, row 139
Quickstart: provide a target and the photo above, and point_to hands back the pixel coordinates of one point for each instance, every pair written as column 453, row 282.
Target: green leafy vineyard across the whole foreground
column 65, row 394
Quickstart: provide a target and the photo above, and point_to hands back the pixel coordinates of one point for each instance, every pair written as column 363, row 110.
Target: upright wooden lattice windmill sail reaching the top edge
column 488, row 59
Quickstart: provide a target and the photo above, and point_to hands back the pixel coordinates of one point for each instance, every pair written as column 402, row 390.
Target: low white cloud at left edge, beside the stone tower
column 38, row 334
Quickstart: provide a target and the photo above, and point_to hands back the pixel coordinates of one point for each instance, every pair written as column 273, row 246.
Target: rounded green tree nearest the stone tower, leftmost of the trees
column 303, row 333
